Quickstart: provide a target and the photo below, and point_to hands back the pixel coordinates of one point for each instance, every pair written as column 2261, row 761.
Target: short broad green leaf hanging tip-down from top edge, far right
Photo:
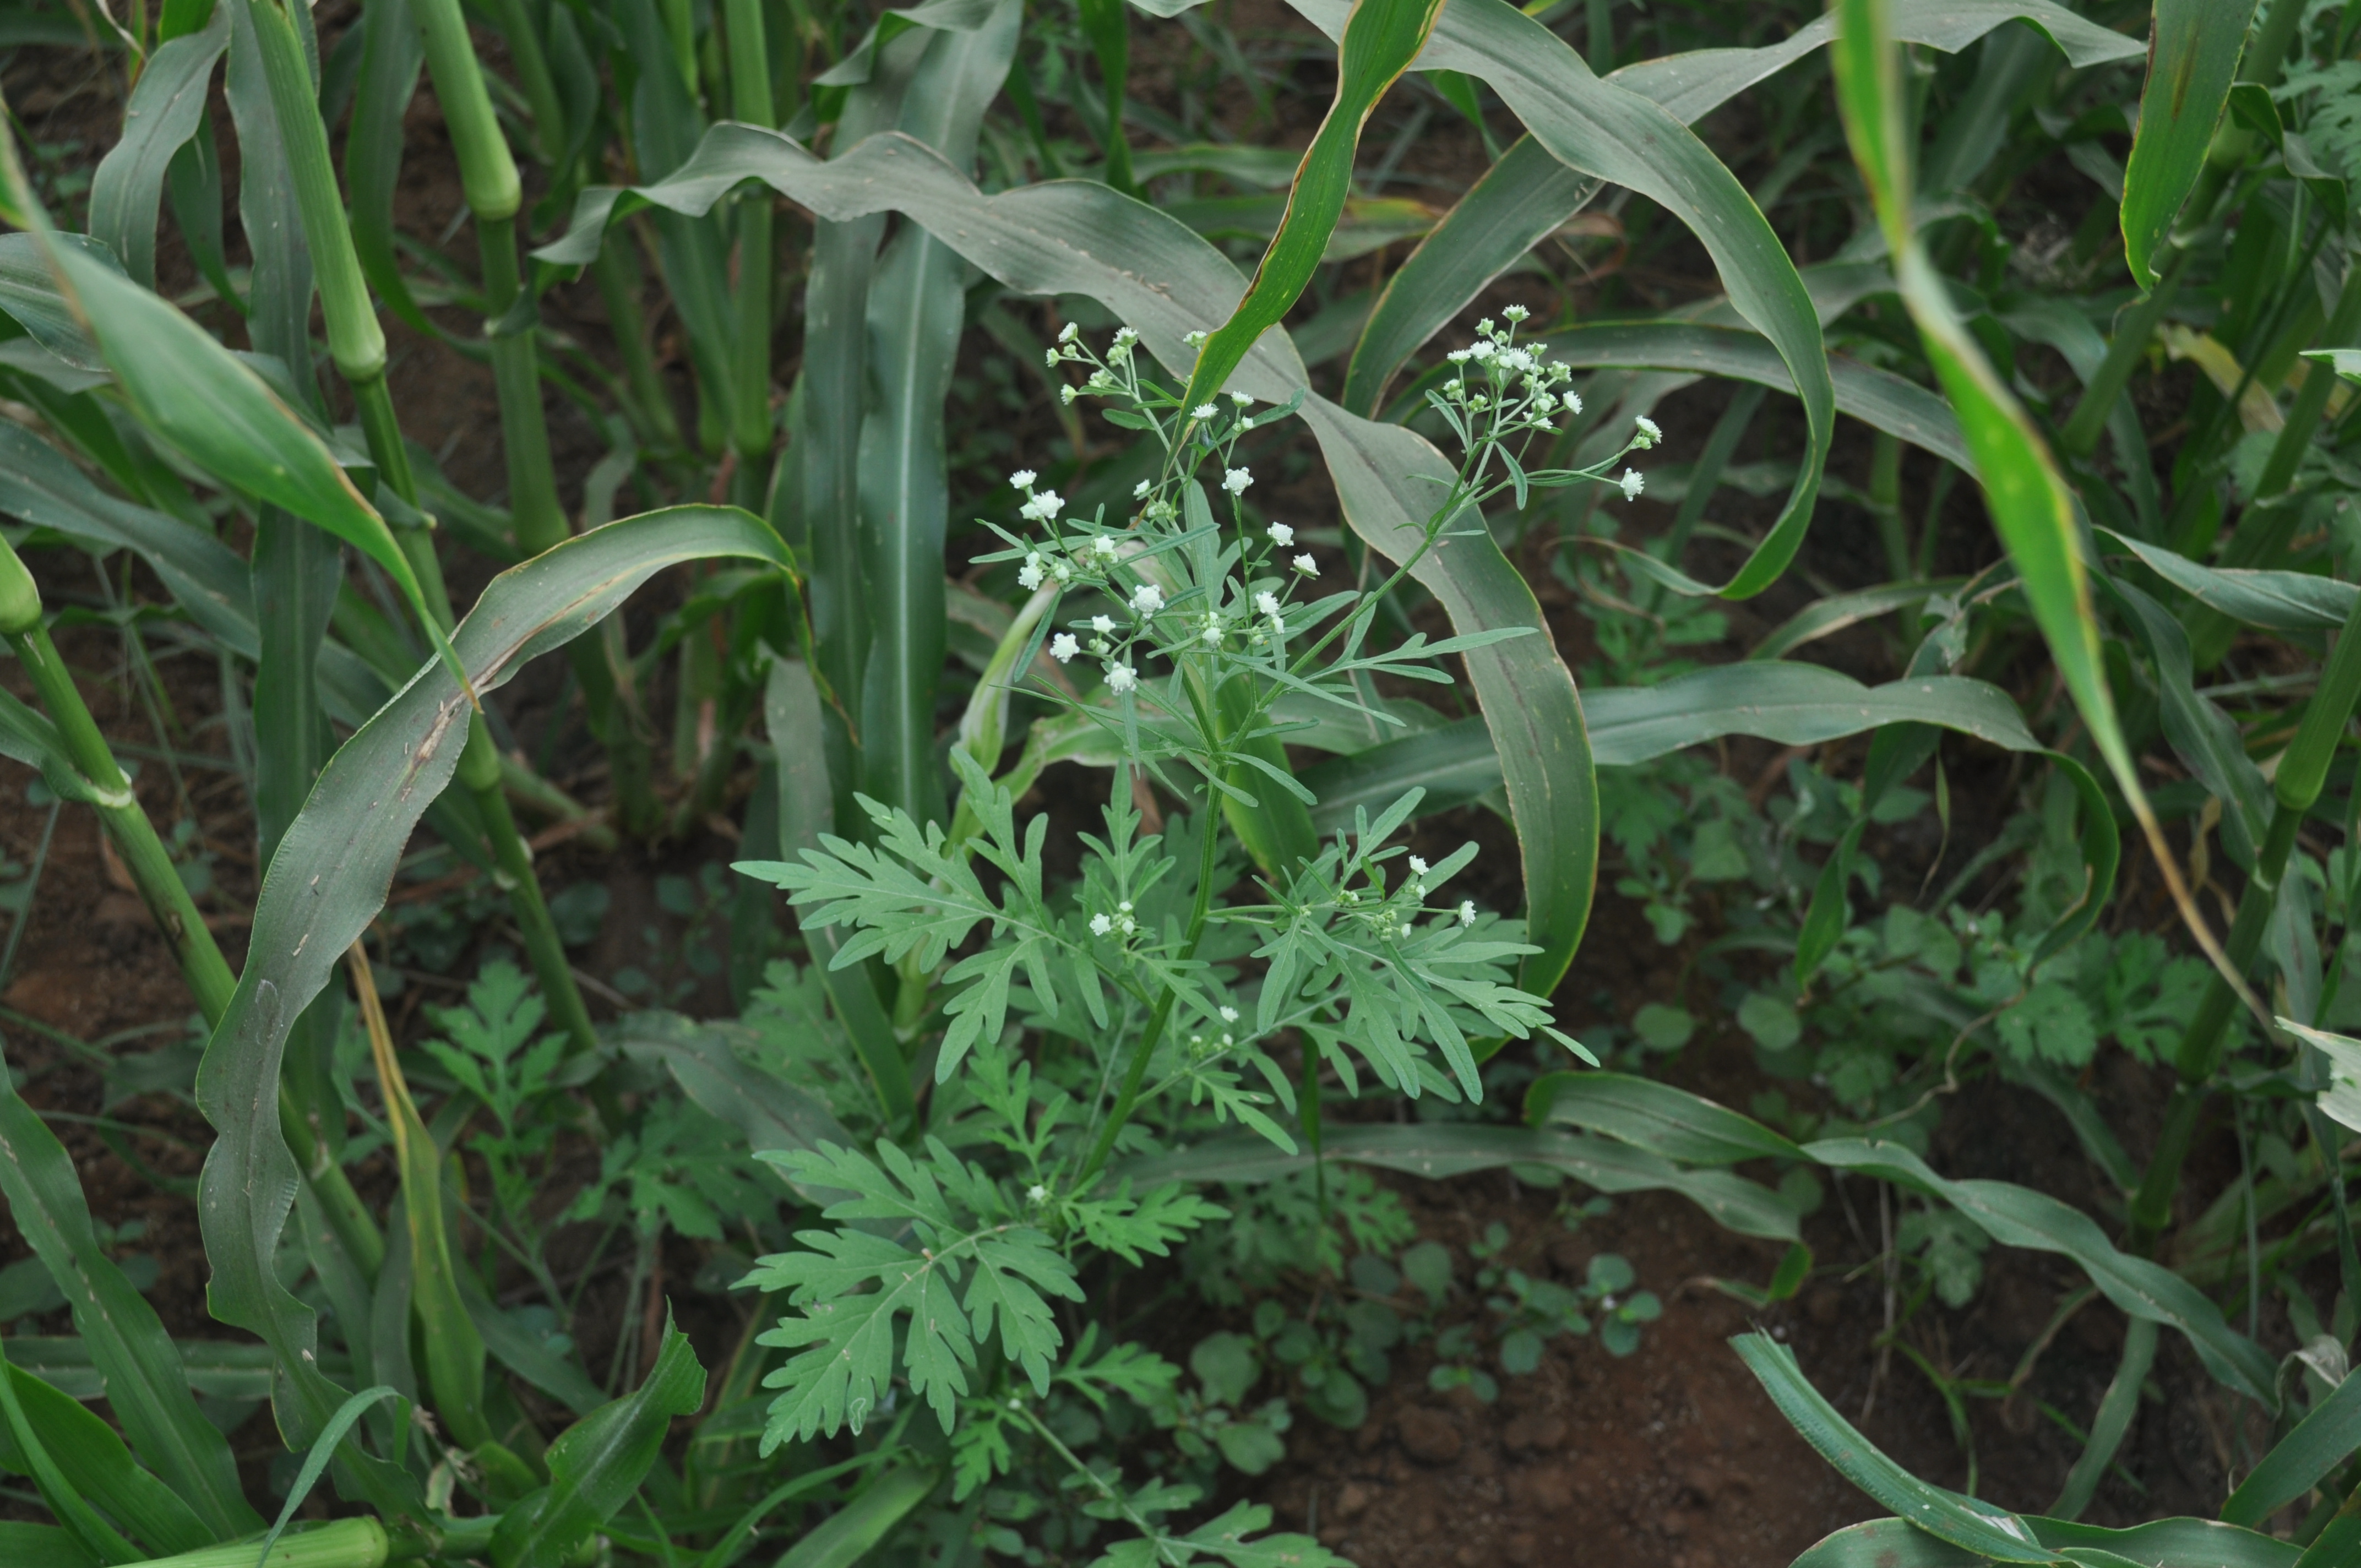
column 2192, row 63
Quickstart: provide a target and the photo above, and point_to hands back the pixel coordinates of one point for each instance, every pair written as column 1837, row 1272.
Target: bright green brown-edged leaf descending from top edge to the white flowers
column 1378, row 44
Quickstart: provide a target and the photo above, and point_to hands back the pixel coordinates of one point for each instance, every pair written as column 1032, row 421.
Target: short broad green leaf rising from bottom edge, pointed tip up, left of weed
column 599, row 1463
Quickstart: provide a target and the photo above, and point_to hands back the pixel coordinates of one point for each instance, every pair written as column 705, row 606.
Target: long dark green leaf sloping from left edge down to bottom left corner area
column 145, row 1383
